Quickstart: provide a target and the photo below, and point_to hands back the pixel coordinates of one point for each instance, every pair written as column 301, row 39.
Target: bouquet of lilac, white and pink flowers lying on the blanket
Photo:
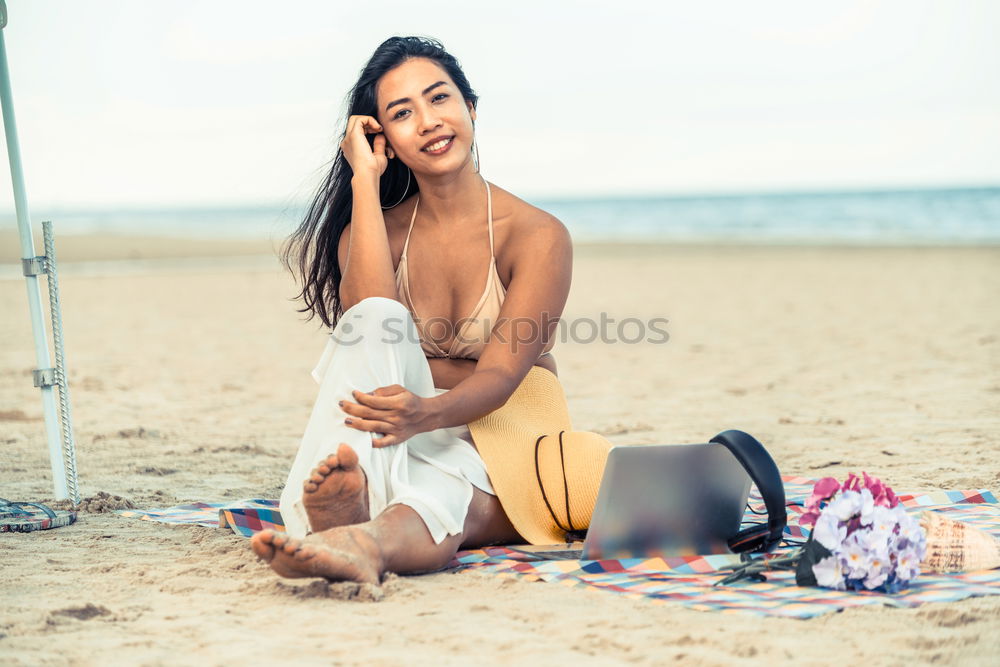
column 861, row 539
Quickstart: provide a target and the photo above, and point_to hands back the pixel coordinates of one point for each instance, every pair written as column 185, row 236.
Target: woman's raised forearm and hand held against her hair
column 363, row 252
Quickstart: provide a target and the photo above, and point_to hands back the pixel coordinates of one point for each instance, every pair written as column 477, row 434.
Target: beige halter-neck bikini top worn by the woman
column 472, row 332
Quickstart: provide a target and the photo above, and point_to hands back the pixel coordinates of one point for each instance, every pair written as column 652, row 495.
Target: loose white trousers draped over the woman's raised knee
column 374, row 344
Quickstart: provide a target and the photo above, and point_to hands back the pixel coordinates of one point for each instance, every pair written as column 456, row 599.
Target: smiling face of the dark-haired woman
column 427, row 123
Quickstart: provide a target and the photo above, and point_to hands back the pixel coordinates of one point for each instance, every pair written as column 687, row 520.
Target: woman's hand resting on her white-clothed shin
column 394, row 411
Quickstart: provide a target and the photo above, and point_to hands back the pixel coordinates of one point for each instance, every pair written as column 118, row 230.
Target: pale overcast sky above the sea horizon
column 239, row 102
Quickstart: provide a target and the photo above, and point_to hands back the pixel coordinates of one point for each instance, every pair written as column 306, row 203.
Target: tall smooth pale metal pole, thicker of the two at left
column 31, row 265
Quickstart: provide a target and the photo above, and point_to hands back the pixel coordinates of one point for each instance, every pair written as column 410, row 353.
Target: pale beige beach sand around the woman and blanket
column 190, row 382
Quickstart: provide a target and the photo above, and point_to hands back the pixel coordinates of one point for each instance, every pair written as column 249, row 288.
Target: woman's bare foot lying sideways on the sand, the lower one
column 347, row 553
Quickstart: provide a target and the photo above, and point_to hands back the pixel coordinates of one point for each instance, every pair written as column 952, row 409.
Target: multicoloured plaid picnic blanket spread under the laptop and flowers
column 685, row 581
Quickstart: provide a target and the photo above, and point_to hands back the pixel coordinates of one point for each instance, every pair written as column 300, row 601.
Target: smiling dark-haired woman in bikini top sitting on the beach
column 388, row 476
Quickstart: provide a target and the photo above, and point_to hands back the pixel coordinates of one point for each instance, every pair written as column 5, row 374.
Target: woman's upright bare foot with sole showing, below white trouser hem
column 336, row 492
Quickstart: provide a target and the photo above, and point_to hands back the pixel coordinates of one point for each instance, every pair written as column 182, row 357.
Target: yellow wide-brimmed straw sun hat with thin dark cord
column 545, row 474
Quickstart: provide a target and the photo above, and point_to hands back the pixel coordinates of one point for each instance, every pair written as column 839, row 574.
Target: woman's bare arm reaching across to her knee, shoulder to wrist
column 539, row 286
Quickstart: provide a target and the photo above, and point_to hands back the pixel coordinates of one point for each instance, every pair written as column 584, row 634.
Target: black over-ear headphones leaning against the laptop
column 764, row 473
